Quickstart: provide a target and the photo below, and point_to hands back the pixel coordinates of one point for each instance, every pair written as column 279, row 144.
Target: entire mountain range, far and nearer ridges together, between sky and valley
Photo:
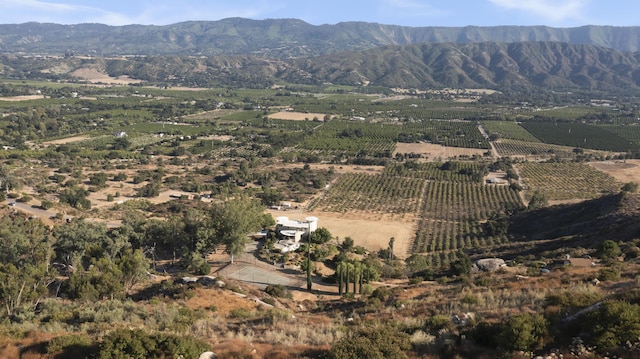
column 259, row 53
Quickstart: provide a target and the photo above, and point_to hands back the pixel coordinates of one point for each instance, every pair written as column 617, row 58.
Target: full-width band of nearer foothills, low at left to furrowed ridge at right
column 549, row 65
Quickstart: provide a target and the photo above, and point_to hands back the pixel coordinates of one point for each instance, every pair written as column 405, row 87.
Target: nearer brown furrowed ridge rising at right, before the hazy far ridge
column 477, row 65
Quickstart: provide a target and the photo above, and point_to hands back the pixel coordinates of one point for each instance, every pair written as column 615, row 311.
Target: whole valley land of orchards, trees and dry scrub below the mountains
column 114, row 240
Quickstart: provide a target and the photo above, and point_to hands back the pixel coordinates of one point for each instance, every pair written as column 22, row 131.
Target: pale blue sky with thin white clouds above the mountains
column 556, row 13
